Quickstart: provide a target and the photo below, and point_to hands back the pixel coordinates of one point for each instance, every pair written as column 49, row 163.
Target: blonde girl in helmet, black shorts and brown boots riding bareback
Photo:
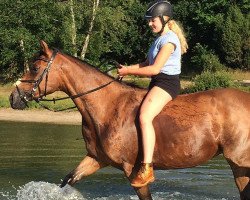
column 163, row 65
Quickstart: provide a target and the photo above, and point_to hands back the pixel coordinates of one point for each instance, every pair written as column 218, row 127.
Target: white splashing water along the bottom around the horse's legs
column 50, row 191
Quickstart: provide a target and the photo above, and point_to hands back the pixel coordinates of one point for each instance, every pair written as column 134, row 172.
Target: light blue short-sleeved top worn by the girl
column 173, row 64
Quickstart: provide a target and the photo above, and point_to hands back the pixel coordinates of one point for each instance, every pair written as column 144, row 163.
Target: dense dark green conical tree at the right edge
column 233, row 36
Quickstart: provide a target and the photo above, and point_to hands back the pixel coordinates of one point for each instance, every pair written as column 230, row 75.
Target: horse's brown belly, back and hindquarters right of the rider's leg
column 195, row 127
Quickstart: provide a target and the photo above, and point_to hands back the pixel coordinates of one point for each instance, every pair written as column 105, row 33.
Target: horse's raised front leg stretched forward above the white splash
column 86, row 167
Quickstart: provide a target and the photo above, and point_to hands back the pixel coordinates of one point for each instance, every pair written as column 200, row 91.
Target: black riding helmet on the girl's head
column 159, row 8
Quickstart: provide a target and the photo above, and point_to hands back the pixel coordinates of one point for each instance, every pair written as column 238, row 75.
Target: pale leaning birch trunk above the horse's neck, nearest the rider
column 86, row 43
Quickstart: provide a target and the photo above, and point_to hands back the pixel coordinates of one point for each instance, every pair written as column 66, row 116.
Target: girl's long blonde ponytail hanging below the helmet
column 176, row 28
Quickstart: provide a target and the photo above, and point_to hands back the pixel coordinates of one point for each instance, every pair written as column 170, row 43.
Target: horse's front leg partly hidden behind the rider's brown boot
column 143, row 192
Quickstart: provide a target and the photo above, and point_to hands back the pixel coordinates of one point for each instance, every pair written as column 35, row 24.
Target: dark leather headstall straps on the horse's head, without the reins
column 37, row 82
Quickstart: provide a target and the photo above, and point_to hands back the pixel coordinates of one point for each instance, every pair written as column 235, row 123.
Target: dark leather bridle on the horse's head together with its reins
column 45, row 72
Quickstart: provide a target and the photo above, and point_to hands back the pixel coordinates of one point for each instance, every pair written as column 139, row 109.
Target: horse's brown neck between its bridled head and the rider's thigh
column 98, row 105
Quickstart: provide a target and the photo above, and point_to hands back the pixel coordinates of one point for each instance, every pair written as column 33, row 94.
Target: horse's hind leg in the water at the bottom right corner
column 242, row 179
